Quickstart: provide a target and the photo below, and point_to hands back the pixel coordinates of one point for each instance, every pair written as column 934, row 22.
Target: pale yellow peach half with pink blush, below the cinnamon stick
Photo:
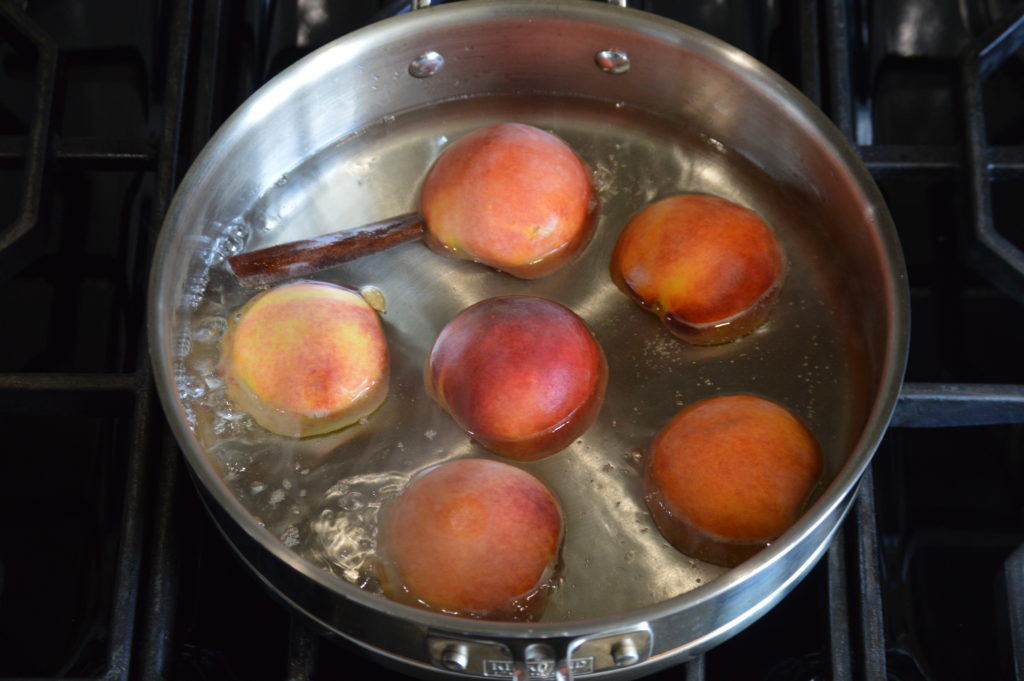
column 306, row 359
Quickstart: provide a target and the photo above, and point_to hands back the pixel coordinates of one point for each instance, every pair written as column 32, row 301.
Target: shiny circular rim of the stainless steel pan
column 836, row 498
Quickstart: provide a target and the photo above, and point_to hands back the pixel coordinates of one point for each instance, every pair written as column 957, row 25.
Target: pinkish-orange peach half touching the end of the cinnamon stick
column 509, row 196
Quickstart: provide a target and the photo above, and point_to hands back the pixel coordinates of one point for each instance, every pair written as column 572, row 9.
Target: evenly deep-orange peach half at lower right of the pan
column 729, row 476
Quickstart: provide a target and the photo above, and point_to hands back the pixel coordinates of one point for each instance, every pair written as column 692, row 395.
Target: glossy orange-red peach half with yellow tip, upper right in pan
column 711, row 270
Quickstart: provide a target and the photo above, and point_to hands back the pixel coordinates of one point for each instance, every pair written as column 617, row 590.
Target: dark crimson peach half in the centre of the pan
column 524, row 376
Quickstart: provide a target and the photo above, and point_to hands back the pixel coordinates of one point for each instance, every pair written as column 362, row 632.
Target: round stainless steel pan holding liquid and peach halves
column 345, row 138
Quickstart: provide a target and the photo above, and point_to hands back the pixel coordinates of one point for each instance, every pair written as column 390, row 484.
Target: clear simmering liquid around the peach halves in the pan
column 322, row 496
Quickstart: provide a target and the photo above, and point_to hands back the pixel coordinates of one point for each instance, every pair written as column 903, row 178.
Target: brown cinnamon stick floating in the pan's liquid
column 304, row 258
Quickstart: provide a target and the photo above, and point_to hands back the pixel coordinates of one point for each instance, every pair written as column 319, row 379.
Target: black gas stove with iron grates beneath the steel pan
column 112, row 569
